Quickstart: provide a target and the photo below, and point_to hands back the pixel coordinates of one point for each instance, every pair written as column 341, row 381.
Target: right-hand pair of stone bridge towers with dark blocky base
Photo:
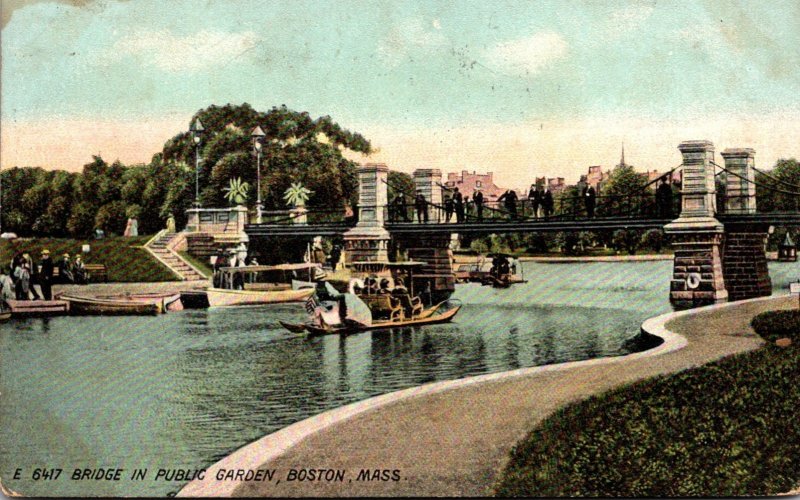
column 713, row 262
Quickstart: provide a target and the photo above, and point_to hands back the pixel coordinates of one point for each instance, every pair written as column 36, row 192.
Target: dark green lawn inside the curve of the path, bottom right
column 728, row 428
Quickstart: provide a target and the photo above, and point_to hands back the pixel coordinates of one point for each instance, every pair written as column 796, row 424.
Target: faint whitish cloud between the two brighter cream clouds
column 409, row 37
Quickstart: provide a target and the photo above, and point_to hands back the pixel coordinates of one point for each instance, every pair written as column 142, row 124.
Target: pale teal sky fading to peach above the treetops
column 521, row 89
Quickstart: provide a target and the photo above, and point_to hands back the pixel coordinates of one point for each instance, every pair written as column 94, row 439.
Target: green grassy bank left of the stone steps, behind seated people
column 125, row 262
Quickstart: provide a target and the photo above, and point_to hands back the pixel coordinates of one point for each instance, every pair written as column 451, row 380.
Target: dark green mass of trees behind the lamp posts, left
column 297, row 148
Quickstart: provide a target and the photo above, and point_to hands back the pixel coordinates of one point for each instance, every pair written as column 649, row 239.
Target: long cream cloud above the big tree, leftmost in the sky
column 169, row 52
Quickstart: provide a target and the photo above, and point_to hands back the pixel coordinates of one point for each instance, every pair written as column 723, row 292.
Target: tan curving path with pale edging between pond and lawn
column 455, row 442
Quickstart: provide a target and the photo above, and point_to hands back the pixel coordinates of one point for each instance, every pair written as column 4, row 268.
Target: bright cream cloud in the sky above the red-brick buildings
column 527, row 56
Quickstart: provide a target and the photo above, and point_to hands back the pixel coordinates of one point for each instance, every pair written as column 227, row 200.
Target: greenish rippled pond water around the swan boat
column 185, row 389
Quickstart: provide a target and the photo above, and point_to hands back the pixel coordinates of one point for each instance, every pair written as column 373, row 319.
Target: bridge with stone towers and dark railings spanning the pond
column 719, row 251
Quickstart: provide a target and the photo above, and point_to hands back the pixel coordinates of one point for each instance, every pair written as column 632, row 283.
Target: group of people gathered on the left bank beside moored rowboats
column 26, row 275
